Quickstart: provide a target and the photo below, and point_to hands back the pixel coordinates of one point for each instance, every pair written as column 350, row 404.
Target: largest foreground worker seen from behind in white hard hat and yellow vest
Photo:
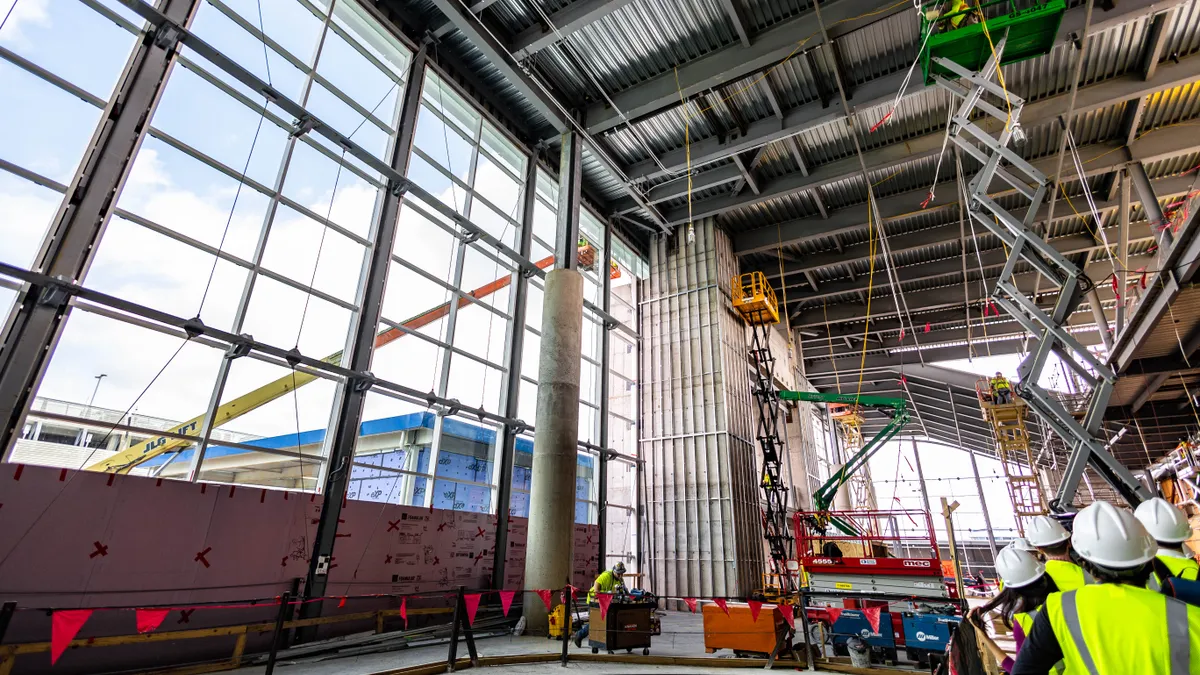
column 1115, row 625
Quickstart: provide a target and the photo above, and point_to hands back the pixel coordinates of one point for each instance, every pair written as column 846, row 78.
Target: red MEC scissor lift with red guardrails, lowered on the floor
column 892, row 563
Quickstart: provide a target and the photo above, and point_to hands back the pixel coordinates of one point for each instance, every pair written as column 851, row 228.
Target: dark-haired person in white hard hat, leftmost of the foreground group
column 1027, row 588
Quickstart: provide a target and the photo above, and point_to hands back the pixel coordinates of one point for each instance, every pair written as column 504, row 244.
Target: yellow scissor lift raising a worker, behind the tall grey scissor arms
column 1007, row 423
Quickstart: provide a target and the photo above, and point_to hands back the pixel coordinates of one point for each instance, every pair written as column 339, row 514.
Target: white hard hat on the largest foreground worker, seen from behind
column 1112, row 537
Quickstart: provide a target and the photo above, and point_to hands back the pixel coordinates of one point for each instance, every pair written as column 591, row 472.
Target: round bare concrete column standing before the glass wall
column 549, row 552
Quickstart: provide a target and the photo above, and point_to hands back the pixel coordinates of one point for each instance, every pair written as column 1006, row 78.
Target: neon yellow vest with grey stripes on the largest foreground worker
column 1108, row 629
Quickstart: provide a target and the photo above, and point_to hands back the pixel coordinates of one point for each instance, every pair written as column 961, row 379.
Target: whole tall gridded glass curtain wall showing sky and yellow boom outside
column 232, row 217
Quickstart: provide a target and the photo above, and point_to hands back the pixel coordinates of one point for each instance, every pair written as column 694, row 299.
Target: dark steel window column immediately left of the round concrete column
column 507, row 439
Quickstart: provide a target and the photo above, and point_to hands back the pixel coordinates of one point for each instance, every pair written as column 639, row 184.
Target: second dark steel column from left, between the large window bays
column 353, row 393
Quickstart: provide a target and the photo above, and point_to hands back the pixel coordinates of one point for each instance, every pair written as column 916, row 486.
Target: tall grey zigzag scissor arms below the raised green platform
column 1084, row 438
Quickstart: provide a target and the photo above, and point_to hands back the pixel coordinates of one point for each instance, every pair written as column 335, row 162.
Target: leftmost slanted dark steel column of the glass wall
column 39, row 316
